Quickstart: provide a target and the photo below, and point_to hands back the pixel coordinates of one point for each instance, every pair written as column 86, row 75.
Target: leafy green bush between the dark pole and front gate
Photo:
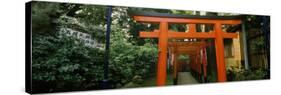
column 128, row 60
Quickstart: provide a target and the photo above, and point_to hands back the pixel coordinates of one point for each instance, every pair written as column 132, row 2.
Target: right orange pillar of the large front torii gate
column 220, row 53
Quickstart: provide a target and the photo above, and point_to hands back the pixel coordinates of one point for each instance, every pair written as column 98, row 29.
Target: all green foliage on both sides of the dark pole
column 65, row 63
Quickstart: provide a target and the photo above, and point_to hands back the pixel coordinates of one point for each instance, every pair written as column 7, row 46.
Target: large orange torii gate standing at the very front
column 164, row 33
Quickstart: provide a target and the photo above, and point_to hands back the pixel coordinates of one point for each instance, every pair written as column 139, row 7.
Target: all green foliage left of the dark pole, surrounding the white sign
column 62, row 63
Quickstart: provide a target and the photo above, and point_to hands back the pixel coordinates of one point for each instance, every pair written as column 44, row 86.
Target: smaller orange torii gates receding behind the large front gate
column 190, row 48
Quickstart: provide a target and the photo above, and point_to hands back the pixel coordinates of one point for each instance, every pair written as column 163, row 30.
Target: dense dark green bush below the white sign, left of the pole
column 66, row 62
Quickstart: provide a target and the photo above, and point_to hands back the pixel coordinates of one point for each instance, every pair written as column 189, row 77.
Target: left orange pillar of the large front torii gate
column 162, row 45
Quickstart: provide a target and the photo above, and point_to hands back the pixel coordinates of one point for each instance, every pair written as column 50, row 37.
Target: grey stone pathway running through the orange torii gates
column 186, row 78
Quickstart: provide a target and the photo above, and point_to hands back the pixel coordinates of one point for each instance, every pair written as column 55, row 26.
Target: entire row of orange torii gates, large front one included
column 198, row 60
